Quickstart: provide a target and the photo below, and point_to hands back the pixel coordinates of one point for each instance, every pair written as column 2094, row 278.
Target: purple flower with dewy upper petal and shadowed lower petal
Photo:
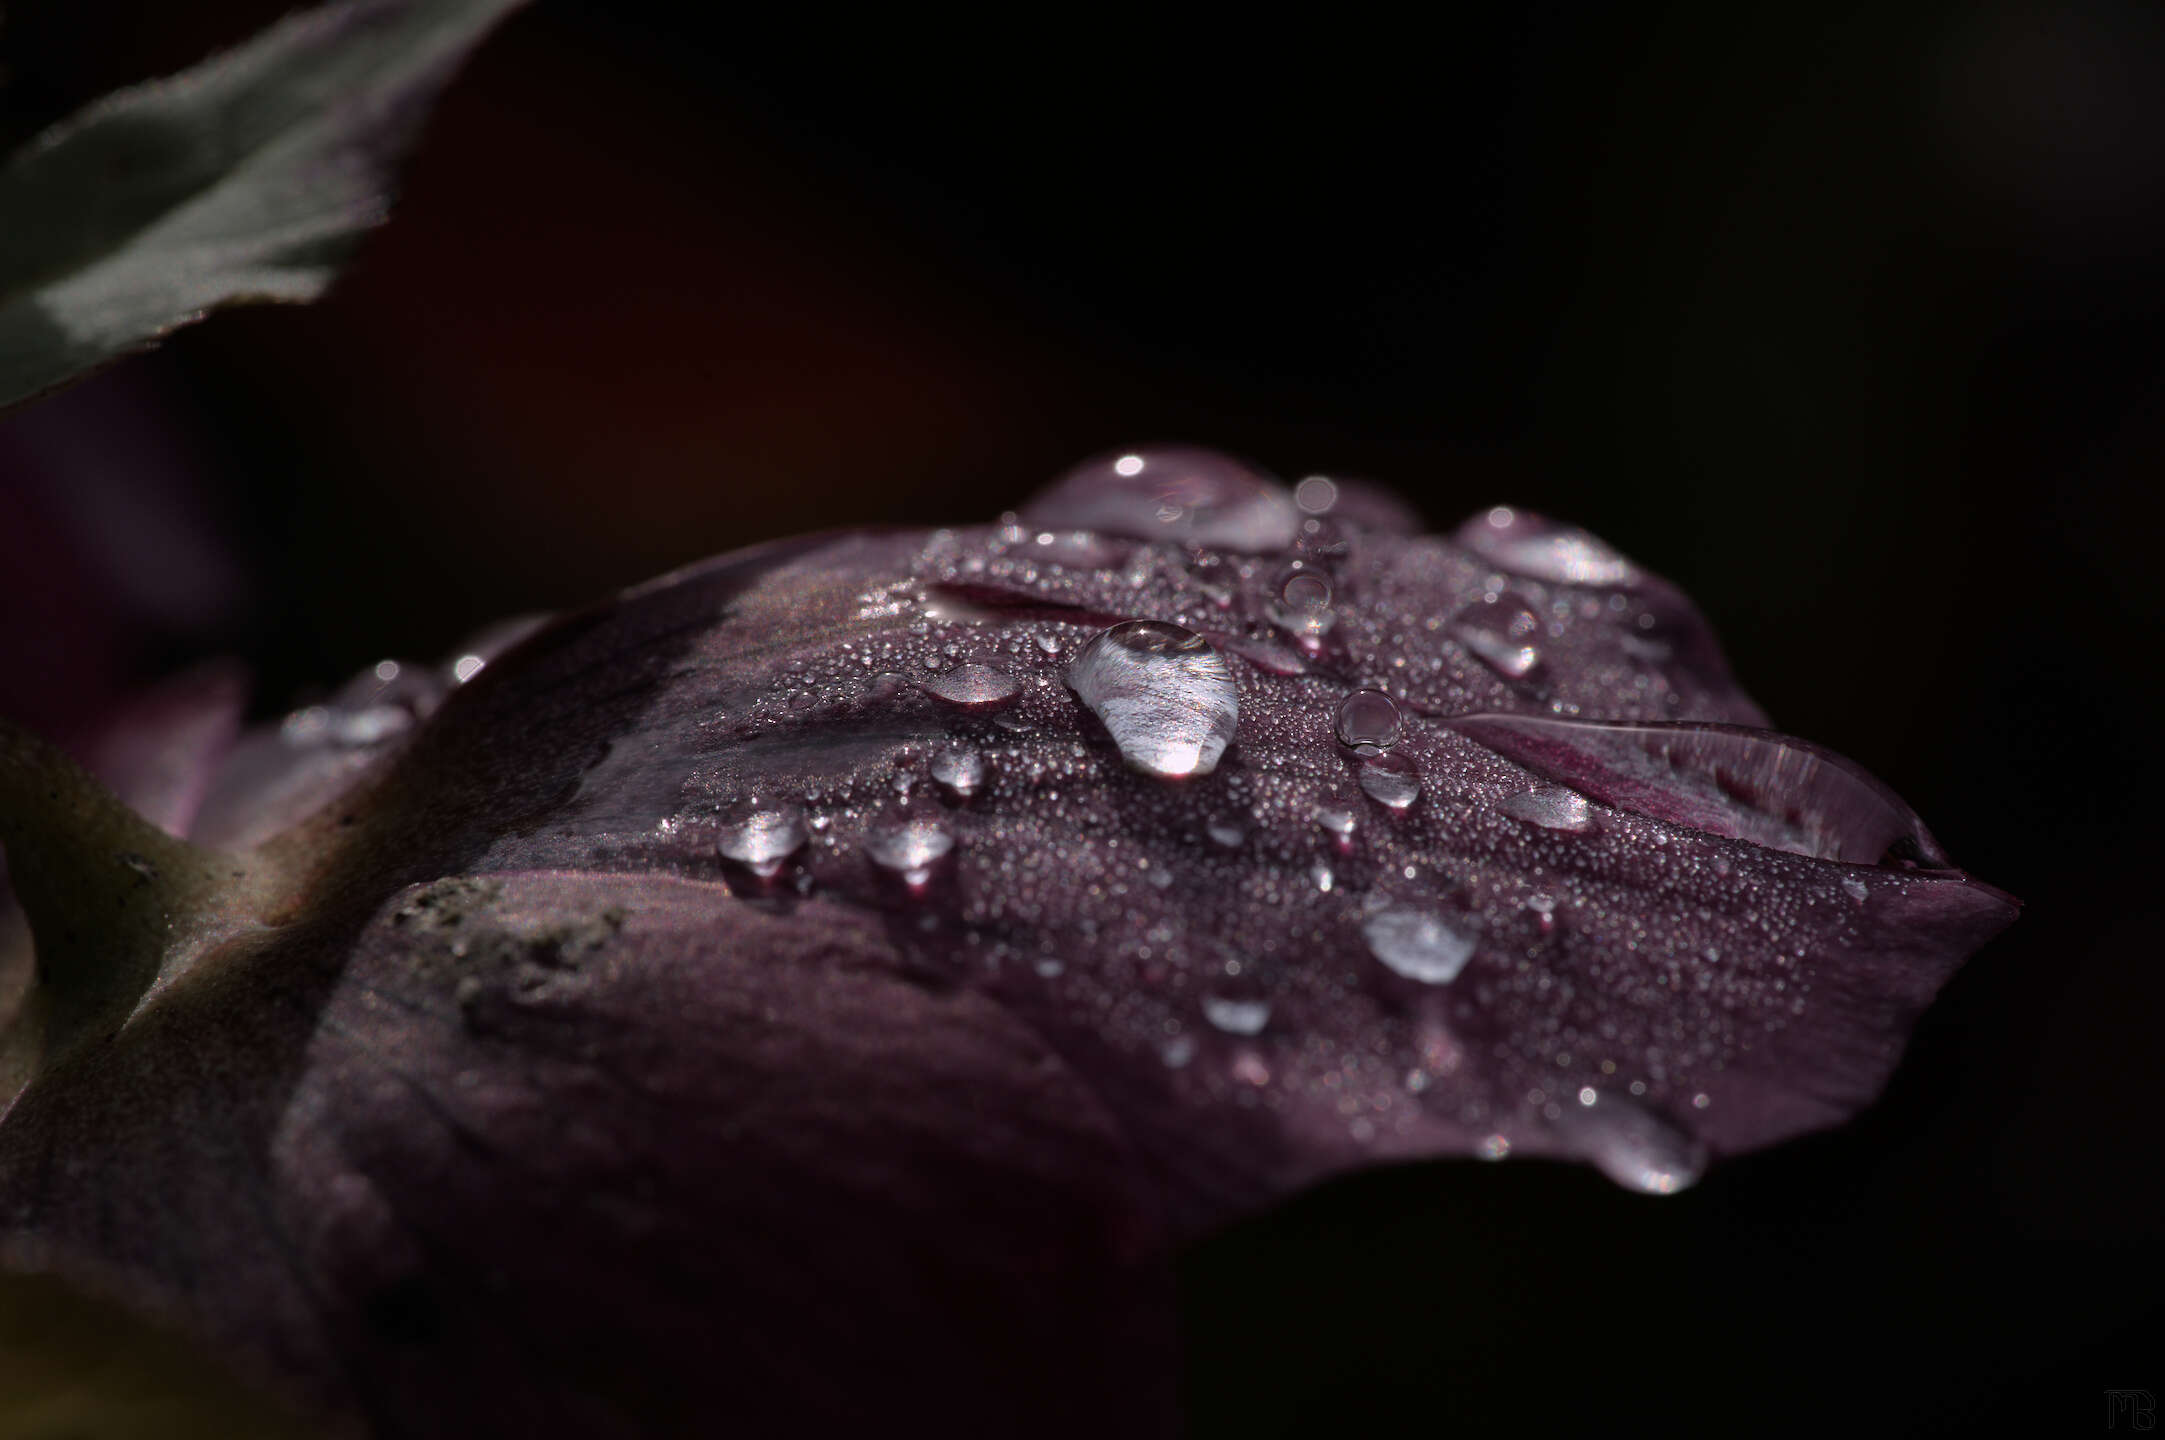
column 700, row 991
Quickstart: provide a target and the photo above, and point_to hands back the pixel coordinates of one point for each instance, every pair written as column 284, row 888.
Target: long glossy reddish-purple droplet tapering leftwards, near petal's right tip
column 1729, row 781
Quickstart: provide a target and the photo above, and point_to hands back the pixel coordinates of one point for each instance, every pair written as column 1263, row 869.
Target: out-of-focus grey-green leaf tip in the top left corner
column 248, row 179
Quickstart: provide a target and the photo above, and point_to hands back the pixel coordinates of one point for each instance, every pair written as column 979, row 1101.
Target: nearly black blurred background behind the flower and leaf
column 1850, row 319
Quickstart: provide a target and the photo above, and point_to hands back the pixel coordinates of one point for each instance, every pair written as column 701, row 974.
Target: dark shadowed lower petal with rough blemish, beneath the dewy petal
column 601, row 1155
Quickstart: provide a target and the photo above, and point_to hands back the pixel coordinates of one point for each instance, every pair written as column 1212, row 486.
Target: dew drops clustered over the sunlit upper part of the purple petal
column 1278, row 690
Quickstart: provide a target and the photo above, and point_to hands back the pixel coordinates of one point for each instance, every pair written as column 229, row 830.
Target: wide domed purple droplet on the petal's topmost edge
column 1172, row 493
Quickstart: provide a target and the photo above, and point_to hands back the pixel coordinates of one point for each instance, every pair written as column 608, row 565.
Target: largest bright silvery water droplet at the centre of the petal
column 1164, row 694
